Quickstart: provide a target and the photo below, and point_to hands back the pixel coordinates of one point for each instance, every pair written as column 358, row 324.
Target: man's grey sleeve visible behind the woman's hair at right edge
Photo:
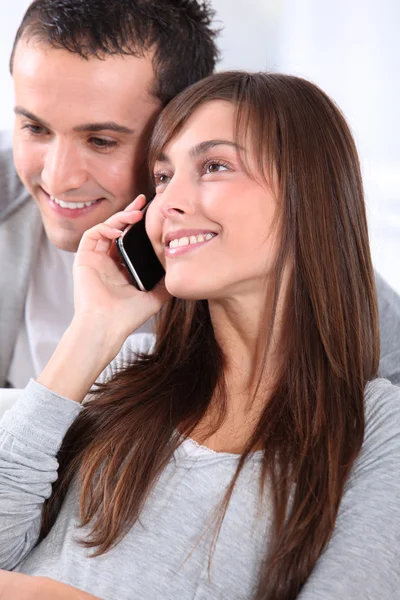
column 389, row 320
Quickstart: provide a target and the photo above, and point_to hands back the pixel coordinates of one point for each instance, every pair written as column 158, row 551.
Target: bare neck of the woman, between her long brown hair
column 241, row 327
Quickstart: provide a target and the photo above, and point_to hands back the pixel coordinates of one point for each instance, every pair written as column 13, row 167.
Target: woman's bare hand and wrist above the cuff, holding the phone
column 108, row 308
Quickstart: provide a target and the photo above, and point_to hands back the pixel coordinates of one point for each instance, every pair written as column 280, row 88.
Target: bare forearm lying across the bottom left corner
column 15, row 586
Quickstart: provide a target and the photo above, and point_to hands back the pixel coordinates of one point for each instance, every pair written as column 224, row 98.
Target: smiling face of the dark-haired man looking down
column 81, row 128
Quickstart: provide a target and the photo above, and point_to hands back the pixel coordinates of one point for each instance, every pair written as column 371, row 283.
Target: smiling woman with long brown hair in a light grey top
column 250, row 451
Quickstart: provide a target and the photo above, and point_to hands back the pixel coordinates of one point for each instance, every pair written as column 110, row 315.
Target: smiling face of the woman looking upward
column 210, row 223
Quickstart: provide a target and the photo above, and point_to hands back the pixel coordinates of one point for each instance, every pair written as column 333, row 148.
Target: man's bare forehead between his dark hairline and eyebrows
column 63, row 88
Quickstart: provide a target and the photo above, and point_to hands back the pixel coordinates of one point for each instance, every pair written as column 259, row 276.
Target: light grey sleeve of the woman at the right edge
column 362, row 559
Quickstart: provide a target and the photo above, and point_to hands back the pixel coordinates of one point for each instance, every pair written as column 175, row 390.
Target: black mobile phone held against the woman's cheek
column 139, row 257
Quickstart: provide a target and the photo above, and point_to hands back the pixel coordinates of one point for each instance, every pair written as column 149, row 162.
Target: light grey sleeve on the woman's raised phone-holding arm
column 31, row 433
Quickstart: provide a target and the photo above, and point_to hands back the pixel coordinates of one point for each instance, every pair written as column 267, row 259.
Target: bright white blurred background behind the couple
column 350, row 48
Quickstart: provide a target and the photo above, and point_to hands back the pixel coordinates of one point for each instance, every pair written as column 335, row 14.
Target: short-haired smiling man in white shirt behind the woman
column 90, row 79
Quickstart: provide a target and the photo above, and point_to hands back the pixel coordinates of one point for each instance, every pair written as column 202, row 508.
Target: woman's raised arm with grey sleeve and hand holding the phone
column 107, row 309
